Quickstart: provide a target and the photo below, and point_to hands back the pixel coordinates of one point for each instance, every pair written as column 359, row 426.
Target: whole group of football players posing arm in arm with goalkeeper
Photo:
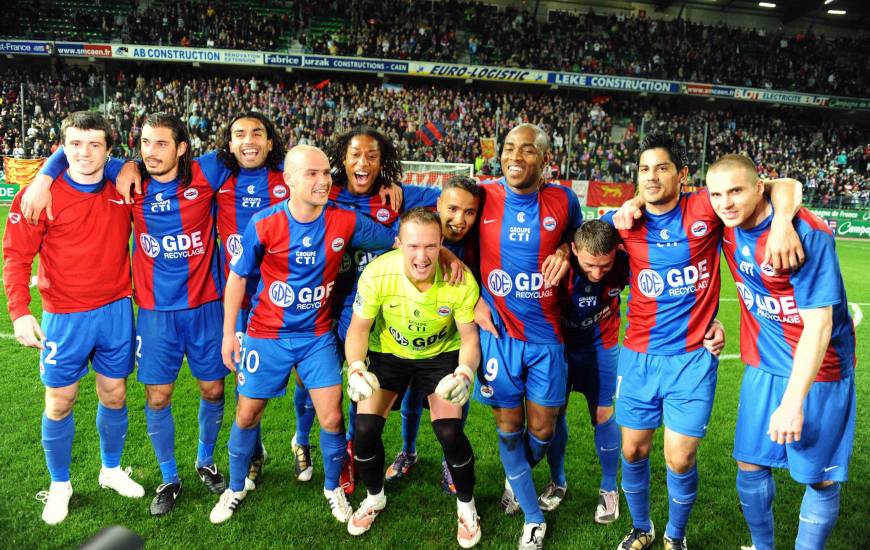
column 280, row 266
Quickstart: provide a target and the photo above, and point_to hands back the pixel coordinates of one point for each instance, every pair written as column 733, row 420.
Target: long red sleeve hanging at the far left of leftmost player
column 21, row 244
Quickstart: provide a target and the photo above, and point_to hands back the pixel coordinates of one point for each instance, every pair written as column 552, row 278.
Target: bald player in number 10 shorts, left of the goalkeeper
column 297, row 245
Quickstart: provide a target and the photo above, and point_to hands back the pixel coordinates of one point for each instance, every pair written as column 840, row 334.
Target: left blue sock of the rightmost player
column 756, row 490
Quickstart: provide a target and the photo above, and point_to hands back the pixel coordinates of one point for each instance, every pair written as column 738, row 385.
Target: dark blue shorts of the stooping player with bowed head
column 592, row 371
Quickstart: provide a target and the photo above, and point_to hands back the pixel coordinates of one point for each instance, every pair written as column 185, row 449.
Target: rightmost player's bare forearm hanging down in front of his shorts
column 786, row 422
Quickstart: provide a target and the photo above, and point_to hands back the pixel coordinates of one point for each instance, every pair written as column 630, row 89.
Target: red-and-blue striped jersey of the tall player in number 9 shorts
column 517, row 233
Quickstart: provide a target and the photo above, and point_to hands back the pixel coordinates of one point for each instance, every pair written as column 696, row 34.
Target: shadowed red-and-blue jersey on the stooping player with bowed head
column 591, row 310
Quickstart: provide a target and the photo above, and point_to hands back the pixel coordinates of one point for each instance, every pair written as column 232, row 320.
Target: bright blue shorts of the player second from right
column 679, row 386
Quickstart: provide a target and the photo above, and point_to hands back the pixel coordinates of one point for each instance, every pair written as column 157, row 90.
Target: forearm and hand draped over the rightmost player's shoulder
column 784, row 250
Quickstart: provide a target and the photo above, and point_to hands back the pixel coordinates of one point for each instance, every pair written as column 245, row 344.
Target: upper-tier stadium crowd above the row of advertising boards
column 463, row 31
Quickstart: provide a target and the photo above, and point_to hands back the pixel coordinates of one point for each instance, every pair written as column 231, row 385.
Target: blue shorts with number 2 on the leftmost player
column 103, row 336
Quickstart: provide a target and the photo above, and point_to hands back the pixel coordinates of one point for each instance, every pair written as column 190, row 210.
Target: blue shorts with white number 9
column 512, row 369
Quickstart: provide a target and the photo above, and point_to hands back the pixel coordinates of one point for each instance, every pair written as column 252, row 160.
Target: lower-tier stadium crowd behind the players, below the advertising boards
column 832, row 158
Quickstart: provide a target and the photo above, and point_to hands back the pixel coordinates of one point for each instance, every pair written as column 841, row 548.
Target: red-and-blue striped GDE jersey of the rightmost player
column 770, row 321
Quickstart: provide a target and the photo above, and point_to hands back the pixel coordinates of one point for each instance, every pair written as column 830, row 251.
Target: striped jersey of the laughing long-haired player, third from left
column 238, row 199
